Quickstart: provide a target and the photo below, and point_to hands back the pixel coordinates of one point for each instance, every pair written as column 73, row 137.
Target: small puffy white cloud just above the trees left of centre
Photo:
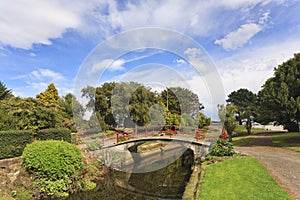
column 109, row 64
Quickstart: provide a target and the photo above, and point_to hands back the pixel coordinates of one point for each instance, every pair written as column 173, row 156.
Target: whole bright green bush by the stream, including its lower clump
column 56, row 165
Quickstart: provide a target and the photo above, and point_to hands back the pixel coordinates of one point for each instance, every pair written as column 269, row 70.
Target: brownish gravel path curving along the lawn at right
column 282, row 164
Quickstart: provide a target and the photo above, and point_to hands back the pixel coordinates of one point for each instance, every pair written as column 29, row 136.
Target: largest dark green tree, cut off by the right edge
column 279, row 99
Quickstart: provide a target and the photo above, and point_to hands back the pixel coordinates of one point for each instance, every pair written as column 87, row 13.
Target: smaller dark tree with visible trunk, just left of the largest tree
column 245, row 102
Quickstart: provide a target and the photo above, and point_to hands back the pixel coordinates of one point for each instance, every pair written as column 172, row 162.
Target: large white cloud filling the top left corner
column 23, row 23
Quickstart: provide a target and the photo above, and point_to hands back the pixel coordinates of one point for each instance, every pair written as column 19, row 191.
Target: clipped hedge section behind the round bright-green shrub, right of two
column 54, row 134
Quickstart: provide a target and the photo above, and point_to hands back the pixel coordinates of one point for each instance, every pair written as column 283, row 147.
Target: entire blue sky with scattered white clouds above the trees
column 53, row 41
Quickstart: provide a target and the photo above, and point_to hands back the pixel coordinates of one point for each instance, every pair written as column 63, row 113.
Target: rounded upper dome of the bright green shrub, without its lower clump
column 52, row 159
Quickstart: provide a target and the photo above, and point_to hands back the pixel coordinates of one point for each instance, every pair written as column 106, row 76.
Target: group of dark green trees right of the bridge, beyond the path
column 277, row 102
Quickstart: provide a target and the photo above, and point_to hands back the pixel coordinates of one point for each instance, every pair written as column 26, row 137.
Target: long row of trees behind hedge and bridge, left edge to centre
column 124, row 104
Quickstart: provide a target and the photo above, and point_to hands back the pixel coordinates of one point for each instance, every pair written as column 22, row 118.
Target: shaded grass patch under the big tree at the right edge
column 287, row 140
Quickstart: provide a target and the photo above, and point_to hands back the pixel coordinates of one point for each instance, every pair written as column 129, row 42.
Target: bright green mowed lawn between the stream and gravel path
column 240, row 178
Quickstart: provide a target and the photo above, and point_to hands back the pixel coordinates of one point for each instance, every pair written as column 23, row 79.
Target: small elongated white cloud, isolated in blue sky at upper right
column 239, row 37
